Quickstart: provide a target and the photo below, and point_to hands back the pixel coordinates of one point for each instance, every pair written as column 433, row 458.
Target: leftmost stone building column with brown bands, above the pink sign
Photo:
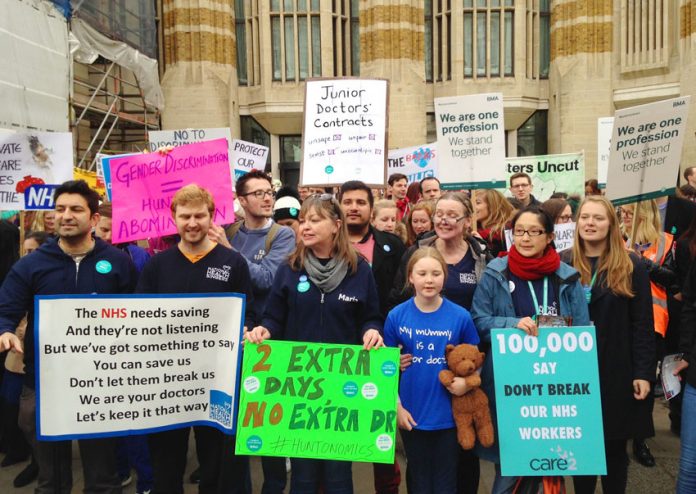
column 200, row 56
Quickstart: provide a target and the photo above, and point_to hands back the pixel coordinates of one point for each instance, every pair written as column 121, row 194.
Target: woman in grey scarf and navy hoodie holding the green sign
column 325, row 293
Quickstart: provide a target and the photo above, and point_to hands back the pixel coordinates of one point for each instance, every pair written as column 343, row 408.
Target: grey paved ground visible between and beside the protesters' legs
column 662, row 478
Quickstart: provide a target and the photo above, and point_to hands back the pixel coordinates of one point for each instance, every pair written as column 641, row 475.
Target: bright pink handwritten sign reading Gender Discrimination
column 143, row 186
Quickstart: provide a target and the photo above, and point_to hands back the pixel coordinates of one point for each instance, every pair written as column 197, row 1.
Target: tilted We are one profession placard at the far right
column 646, row 145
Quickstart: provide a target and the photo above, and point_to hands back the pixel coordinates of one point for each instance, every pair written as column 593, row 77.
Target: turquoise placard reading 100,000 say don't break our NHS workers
column 548, row 402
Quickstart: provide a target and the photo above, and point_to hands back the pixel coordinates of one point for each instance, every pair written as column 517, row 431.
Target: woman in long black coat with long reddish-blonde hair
column 617, row 291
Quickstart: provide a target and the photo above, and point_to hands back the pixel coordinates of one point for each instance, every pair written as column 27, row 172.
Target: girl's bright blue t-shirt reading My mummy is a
column 425, row 336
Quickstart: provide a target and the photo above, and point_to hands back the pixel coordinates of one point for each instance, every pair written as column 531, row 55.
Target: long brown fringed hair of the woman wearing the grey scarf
column 326, row 207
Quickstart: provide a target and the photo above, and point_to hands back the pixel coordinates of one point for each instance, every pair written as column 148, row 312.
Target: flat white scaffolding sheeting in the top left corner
column 34, row 66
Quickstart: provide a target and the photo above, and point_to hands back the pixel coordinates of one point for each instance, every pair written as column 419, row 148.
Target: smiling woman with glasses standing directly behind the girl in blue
column 466, row 257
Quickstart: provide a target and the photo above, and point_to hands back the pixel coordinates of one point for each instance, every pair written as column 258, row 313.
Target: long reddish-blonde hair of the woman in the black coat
column 614, row 263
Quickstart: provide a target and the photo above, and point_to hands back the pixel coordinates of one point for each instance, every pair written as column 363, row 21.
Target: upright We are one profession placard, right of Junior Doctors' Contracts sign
column 471, row 141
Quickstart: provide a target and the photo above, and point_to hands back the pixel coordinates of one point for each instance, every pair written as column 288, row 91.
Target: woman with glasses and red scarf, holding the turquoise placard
column 509, row 296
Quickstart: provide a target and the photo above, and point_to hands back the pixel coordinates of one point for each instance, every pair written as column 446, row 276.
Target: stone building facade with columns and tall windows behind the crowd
column 560, row 64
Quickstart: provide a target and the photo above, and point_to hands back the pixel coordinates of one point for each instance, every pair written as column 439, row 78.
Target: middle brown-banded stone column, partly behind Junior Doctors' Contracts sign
column 392, row 47
